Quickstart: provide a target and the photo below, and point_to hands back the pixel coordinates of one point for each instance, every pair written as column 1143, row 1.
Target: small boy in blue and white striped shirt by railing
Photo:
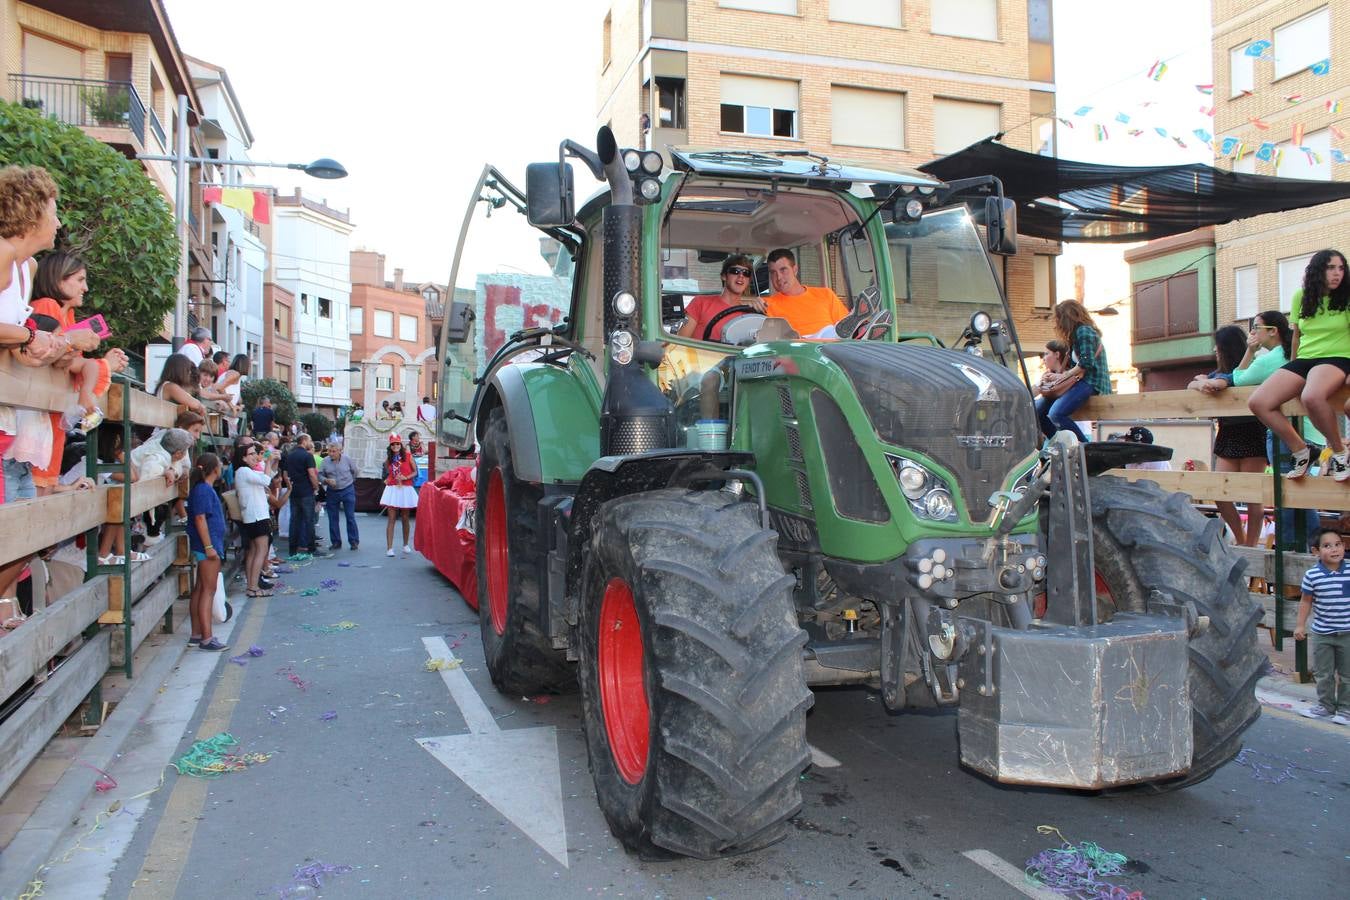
column 1326, row 596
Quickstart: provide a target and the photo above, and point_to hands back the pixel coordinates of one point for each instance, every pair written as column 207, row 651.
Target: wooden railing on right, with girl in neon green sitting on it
column 1282, row 570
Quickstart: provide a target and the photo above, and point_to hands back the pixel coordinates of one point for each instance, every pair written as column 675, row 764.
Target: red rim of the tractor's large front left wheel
column 623, row 693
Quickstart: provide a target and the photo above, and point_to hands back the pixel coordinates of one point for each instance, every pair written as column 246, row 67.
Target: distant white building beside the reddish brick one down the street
column 311, row 258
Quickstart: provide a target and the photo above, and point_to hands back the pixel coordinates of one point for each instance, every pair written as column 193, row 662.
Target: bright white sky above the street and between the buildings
column 416, row 101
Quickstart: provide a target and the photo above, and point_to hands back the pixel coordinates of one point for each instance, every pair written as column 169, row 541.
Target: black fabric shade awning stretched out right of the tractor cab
column 1083, row 202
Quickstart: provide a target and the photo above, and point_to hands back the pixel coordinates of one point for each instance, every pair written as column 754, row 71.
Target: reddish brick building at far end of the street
column 392, row 333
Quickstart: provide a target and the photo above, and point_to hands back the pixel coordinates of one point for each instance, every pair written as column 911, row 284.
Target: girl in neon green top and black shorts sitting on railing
column 1320, row 366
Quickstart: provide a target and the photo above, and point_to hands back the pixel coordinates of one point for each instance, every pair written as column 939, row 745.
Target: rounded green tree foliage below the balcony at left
column 113, row 217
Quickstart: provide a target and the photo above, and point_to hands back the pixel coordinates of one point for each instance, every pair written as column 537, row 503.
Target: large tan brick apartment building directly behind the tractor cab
column 873, row 82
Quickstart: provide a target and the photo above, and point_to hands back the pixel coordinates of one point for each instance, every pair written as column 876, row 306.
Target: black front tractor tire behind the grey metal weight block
column 1147, row 539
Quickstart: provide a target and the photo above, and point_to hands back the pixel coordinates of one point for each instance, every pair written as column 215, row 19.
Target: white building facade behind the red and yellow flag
column 238, row 249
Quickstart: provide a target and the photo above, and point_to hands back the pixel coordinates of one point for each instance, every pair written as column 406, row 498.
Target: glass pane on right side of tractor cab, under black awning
column 942, row 273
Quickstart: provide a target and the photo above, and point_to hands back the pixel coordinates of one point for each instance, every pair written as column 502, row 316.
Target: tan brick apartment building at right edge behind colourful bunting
column 1260, row 261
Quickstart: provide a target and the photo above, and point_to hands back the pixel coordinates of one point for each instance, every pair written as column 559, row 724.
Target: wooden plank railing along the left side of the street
column 56, row 660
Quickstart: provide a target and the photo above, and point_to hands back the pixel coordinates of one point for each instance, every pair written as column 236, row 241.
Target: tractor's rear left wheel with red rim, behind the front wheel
column 520, row 656
